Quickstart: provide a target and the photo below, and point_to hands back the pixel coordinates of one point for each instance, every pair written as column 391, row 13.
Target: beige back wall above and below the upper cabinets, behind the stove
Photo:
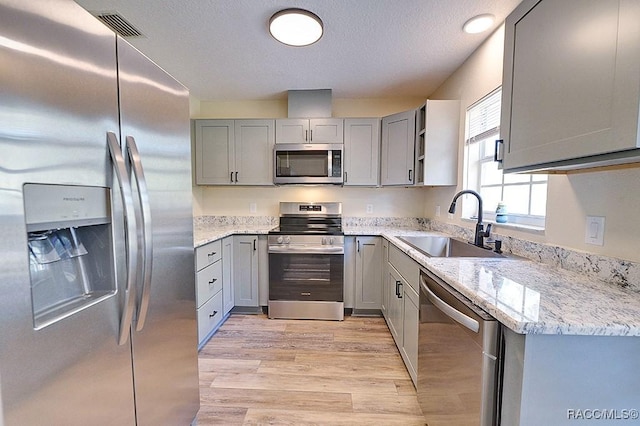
column 236, row 200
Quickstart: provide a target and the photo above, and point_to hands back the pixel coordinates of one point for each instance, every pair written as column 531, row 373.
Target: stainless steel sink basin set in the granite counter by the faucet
column 436, row 246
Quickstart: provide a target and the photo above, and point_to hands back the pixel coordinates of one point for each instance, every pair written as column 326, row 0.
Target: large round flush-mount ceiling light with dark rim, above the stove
column 295, row 27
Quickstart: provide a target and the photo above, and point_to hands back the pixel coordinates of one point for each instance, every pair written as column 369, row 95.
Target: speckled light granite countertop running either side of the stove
column 526, row 296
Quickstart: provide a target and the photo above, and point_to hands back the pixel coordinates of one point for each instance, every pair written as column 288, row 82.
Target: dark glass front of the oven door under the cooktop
column 306, row 277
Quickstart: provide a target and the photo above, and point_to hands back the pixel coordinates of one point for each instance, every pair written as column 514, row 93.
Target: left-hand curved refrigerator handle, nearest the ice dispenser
column 130, row 229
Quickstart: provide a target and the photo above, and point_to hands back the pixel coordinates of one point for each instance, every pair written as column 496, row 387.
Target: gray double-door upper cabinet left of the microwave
column 234, row 152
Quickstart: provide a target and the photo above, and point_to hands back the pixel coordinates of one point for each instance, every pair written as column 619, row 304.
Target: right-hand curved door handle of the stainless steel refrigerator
column 147, row 243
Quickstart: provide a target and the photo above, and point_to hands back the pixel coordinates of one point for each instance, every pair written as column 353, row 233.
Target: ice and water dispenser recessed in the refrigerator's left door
column 70, row 249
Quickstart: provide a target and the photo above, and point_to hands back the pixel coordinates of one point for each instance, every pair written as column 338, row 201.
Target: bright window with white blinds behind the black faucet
column 525, row 195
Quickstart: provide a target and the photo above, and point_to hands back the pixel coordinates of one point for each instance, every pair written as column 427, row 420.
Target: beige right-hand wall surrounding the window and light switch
column 613, row 193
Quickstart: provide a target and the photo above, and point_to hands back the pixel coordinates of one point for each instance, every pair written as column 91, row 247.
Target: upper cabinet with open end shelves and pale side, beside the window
column 437, row 141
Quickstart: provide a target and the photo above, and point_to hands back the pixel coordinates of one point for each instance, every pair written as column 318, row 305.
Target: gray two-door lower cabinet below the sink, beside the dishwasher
column 402, row 309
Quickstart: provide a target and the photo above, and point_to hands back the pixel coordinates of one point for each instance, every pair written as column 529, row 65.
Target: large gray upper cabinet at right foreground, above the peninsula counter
column 571, row 85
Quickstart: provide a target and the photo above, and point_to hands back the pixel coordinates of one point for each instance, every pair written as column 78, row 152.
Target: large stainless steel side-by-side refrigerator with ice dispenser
column 97, row 295
